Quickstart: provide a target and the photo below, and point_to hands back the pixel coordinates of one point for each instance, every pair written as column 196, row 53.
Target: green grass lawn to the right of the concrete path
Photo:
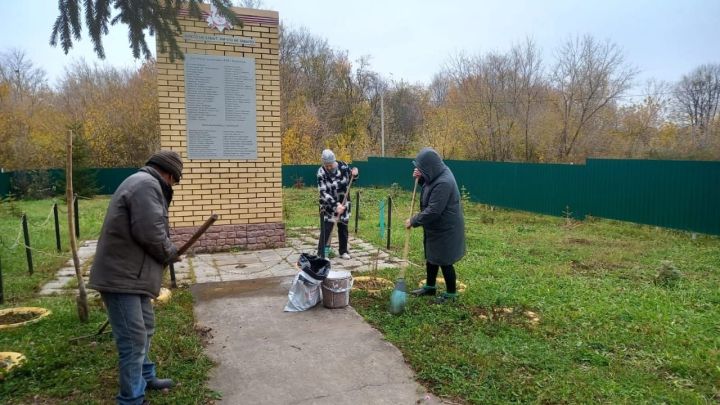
column 555, row 311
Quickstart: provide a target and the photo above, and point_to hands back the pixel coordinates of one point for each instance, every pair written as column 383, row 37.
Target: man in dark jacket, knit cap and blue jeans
column 132, row 251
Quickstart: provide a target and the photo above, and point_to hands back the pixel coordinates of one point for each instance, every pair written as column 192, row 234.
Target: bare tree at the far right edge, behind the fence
column 697, row 96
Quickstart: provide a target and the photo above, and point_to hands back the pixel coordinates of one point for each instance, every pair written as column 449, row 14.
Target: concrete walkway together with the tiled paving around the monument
column 267, row 356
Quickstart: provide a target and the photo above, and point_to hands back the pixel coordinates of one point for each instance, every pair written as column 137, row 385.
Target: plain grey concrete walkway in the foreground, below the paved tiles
column 320, row 356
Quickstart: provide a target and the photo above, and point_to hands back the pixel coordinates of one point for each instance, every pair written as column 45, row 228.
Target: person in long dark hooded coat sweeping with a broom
column 441, row 217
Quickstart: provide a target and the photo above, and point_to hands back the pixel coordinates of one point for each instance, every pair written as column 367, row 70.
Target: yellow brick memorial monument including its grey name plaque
column 220, row 109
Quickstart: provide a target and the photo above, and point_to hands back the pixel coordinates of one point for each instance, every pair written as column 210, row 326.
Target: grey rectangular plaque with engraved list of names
column 220, row 107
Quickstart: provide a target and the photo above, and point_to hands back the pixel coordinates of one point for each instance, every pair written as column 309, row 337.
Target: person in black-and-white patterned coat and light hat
column 334, row 178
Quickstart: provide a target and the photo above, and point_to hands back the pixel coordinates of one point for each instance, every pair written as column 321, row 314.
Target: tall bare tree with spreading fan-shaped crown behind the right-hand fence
column 588, row 77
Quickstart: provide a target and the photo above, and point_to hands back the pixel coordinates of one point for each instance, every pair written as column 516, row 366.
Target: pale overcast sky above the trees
column 413, row 39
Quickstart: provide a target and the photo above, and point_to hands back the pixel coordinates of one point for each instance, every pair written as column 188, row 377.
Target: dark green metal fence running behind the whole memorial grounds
column 674, row 194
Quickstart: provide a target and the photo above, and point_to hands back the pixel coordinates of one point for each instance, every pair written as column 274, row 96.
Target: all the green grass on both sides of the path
column 555, row 311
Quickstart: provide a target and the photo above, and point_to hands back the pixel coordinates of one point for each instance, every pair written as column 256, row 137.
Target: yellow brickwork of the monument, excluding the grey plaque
column 246, row 194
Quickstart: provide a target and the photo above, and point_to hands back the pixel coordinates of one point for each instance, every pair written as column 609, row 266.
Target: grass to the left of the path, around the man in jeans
column 58, row 371
